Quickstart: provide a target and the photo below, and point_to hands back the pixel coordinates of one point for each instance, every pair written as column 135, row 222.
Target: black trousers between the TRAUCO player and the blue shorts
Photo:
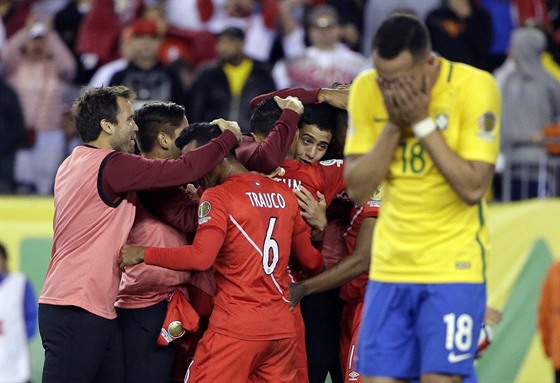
column 321, row 314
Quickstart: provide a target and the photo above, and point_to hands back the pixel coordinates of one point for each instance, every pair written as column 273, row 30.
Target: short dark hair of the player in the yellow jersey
column 402, row 32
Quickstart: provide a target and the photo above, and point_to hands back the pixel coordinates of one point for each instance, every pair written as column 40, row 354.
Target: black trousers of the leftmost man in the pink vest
column 79, row 346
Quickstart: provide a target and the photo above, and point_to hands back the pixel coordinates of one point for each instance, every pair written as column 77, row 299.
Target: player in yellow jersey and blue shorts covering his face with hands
column 427, row 130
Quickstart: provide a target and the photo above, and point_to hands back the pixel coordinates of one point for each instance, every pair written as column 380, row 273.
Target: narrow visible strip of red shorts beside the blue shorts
column 349, row 329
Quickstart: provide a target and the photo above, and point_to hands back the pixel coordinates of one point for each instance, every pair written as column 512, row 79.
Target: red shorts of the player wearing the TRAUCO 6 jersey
column 221, row 358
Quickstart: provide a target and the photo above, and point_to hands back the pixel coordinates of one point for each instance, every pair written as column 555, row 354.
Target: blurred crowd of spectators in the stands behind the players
column 215, row 56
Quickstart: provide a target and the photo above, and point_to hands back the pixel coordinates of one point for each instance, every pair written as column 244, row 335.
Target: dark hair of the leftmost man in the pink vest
column 95, row 105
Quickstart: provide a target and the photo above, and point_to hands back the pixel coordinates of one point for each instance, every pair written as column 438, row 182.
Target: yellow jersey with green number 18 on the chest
column 425, row 232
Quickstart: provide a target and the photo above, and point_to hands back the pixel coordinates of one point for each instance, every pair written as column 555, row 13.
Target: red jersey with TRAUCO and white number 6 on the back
column 248, row 226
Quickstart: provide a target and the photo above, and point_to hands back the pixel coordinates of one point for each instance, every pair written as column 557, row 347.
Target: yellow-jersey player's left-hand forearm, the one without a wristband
column 364, row 173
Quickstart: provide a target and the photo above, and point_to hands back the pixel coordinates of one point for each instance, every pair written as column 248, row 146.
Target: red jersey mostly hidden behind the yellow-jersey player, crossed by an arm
column 354, row 290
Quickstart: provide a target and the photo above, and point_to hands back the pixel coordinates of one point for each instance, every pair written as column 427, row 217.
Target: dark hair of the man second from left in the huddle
column 155, row 117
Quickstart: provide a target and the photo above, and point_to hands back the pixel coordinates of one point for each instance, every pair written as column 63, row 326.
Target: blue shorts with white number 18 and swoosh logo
column 412, row 329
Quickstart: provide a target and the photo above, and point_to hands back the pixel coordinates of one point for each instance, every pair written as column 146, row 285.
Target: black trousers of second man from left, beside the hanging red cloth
column 145, row 361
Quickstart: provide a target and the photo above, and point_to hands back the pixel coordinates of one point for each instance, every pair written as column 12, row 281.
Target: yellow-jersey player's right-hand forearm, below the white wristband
column 469, row 179
